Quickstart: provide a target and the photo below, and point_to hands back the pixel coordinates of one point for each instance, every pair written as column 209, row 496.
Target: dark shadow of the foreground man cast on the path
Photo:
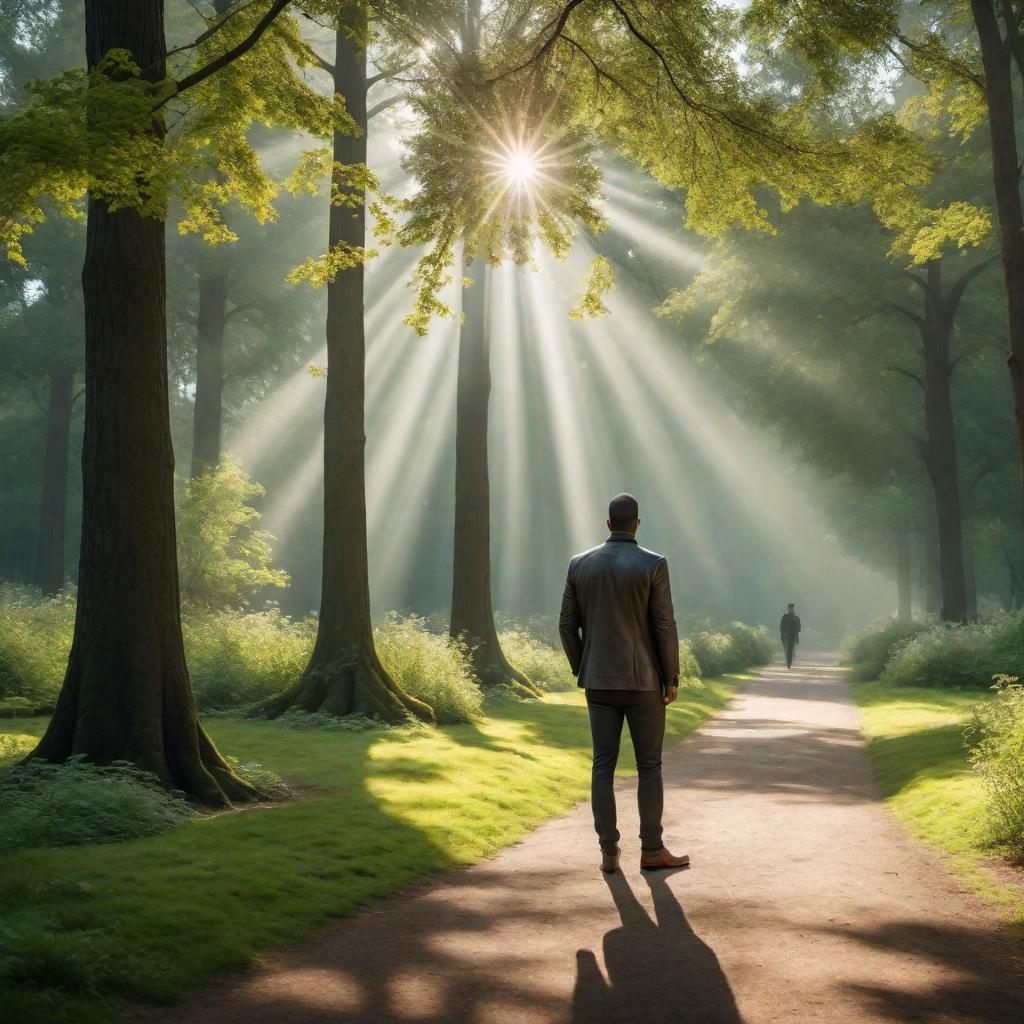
column 659, row 972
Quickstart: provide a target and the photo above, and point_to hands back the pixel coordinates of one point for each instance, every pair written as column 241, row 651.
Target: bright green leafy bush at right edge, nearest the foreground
column 997, row 734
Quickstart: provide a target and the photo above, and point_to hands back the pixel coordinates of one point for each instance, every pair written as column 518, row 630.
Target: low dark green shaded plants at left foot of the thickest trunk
column 76, row 802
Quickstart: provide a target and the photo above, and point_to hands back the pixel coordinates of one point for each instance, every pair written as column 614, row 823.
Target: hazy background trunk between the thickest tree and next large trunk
column 209, row 362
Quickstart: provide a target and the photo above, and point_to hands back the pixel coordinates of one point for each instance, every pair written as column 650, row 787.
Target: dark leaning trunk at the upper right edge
column 996, row 57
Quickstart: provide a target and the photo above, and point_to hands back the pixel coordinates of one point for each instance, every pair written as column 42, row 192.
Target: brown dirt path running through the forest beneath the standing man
column 806, row 904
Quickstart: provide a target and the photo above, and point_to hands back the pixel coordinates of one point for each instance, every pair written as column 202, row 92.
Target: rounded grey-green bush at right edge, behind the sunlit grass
column 969, row 656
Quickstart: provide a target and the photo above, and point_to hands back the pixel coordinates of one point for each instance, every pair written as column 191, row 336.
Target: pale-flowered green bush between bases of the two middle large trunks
column 431, row 667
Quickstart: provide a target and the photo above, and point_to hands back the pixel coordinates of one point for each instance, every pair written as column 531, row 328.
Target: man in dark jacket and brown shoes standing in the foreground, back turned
column 619, row 631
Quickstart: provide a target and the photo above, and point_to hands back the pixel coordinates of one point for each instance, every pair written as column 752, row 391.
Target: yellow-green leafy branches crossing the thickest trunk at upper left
column 94, row 133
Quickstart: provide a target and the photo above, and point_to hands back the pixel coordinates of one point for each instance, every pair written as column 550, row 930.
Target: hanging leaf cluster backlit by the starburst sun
column 468, row 129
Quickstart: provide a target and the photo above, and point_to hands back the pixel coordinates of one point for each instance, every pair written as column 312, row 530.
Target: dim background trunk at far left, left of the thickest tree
column 54, row 507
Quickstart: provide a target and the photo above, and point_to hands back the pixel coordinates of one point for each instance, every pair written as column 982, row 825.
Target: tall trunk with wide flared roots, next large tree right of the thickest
column 345, row 674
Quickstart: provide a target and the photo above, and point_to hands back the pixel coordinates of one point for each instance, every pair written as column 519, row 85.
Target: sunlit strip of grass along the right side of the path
column 916, row 745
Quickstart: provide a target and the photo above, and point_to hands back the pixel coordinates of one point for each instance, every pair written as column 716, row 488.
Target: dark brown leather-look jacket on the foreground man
column 618, row 598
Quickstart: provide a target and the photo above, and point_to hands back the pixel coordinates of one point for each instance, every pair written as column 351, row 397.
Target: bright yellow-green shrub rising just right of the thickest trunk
column 223, row 558
